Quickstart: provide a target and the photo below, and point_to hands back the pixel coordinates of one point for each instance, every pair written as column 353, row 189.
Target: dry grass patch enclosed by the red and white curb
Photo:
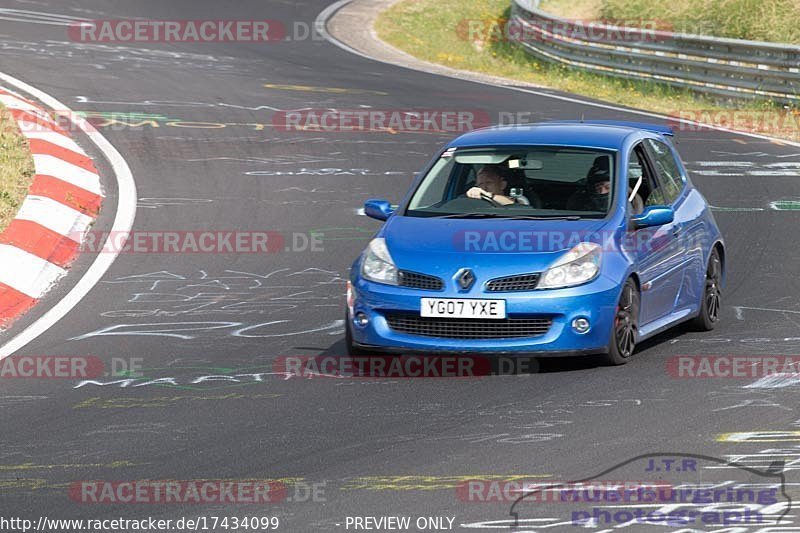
column 16, row 168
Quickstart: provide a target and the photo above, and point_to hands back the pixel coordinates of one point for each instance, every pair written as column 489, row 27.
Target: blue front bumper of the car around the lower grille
column 596, row 301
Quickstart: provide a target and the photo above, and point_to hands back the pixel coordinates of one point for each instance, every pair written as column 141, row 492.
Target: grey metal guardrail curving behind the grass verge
column 727, row 67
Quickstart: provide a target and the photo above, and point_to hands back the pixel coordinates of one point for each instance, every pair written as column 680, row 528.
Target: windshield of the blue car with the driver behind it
column 519, row 182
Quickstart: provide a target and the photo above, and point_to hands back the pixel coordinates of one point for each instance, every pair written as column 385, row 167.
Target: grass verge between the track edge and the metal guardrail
column 437, row 31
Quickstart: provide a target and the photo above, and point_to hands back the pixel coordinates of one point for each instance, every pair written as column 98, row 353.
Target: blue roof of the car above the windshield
column 608, row 135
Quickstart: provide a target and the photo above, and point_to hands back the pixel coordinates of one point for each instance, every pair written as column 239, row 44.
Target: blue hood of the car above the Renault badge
column 441, row 246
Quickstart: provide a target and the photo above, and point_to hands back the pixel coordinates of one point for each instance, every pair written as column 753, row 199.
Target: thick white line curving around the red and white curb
column 123, row 222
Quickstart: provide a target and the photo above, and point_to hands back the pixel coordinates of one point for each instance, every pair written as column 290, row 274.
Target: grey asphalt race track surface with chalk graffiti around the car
column 369, row 447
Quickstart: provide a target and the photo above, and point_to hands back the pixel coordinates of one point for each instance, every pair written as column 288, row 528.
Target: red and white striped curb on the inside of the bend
column 62, row 203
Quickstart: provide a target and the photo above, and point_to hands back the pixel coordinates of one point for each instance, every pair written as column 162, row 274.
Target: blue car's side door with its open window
column 657, row 253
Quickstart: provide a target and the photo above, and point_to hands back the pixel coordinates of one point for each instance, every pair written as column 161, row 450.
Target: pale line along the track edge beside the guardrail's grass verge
column 320, row 24
